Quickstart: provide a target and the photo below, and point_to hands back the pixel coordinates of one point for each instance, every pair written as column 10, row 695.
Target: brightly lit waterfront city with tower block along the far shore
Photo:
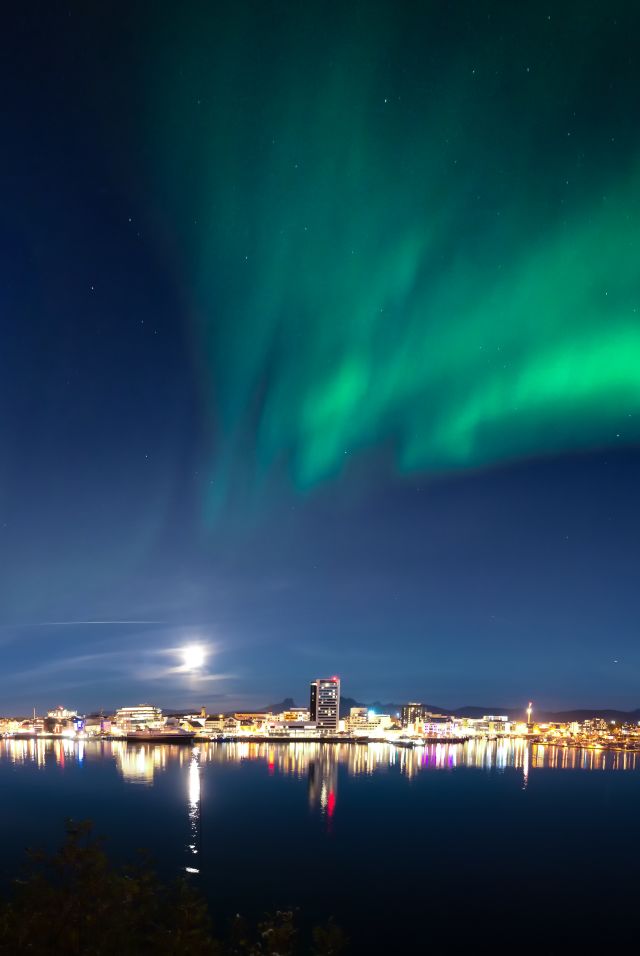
column 413, row 725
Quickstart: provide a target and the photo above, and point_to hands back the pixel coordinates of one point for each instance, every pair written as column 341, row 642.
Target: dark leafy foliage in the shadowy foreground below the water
column 78, row 903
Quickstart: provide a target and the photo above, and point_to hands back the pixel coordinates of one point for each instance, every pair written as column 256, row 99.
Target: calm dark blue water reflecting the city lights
column 496, row 843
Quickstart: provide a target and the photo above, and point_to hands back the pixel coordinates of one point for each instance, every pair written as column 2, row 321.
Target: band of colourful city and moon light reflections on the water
column 318, row 767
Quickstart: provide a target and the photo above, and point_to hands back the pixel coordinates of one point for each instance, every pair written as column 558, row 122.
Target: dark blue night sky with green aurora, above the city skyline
column 320, row 349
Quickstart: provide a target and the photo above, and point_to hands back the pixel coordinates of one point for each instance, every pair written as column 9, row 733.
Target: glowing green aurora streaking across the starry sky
column 404, row 231
